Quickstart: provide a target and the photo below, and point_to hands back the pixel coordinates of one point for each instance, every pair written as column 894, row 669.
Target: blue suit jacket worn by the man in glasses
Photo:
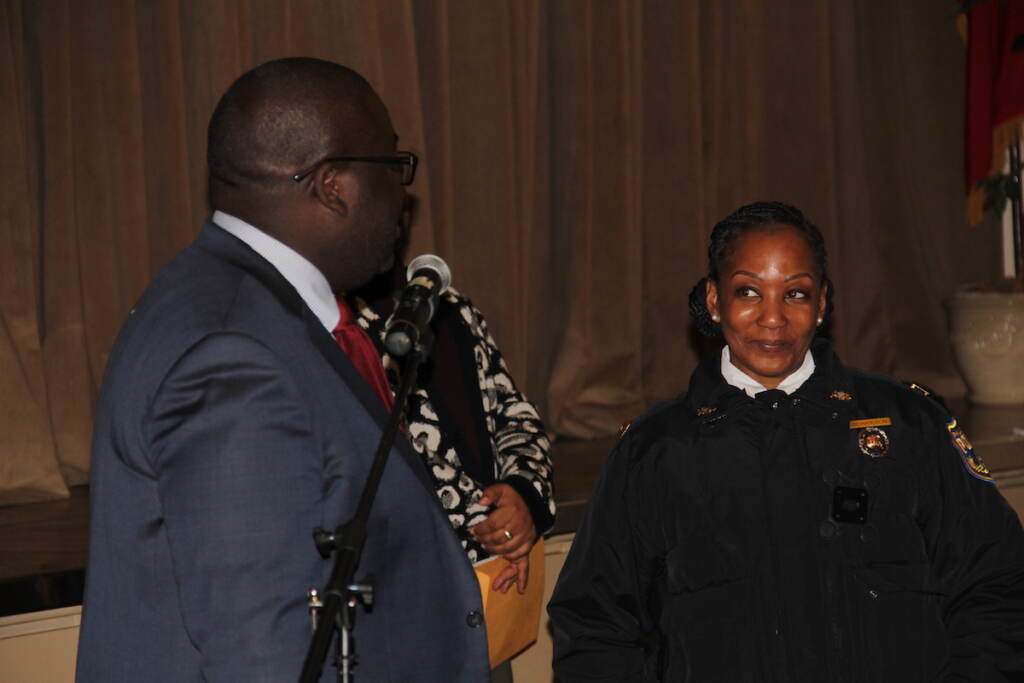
column 230, row 425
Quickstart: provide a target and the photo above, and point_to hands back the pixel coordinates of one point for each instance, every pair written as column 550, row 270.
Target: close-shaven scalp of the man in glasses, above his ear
column 282, row 117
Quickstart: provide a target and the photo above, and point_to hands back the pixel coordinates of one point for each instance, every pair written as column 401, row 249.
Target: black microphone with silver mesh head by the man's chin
column 429, row 278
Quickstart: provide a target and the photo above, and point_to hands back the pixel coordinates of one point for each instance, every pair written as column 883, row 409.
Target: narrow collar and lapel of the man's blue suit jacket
column 227, row 246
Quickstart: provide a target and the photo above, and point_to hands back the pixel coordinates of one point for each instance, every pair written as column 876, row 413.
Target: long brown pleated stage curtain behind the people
column 576, row 157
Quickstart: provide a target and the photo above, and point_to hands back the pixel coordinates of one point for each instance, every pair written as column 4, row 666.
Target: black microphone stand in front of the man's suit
column 342, row 595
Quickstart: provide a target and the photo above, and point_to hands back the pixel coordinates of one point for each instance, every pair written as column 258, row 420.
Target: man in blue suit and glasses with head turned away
column 231, row 423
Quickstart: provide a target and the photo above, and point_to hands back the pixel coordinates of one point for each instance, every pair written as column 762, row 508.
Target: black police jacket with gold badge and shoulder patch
column 843, row 533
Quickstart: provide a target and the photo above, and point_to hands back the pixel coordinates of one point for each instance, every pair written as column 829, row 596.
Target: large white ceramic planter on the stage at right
column 988, row 335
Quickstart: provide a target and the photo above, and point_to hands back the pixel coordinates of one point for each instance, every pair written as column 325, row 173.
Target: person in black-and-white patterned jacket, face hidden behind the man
column 482, row 440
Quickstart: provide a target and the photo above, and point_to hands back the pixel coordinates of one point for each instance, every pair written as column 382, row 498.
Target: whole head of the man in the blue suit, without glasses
column 286, row 117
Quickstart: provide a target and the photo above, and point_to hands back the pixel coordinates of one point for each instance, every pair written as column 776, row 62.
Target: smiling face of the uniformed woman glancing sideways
column 770, row 300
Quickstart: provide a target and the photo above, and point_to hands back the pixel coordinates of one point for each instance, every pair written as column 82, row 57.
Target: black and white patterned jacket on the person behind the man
column 495, row 435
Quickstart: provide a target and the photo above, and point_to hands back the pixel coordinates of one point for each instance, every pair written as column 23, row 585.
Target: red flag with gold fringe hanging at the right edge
column 995, row 90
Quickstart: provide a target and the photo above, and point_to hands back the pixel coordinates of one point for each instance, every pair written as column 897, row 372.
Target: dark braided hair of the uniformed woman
column 757, row 217
